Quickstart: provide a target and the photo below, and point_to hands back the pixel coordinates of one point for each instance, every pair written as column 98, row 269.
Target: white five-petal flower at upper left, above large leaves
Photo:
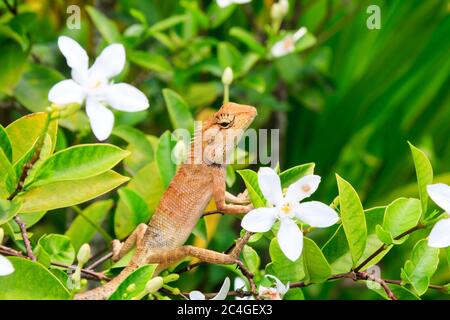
column 93, row 85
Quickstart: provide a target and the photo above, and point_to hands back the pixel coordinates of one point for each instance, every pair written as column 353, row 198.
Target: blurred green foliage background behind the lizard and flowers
column 348, row 101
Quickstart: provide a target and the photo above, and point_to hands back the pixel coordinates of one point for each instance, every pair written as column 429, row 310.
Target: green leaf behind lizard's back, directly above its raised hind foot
column 137, row 212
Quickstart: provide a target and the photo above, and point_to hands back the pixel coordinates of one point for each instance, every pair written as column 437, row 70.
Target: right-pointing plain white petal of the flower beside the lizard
column 316, row 214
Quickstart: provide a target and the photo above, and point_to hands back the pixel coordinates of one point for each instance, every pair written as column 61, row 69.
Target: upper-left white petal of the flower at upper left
column 76, row 57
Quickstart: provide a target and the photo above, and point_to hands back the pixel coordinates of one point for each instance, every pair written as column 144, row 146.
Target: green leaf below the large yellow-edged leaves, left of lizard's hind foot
column 81, row 231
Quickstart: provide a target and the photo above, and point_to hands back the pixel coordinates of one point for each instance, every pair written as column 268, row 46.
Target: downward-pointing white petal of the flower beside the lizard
column 290, row 239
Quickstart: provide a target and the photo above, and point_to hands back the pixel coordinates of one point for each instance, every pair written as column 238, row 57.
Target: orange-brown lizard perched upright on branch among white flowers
column 198, row 180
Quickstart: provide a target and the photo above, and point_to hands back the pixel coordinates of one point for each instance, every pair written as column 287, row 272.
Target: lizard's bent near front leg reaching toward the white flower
column 220, row 195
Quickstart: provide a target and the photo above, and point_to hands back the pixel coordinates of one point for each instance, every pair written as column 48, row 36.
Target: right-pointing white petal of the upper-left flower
column 125, row 97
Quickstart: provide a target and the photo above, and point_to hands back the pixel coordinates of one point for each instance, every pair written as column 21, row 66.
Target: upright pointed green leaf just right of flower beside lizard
column 353, row 219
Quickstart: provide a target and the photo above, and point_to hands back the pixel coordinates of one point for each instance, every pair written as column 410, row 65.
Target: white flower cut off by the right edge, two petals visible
column 440, row 234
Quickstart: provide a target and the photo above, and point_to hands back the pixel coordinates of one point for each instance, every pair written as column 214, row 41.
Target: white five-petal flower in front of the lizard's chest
column 287, row 209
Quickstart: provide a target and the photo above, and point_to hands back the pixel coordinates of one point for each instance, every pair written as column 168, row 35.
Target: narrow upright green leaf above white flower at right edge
column 424, row 172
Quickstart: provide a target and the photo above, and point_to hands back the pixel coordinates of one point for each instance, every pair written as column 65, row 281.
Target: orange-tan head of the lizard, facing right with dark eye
column 222, row 133
